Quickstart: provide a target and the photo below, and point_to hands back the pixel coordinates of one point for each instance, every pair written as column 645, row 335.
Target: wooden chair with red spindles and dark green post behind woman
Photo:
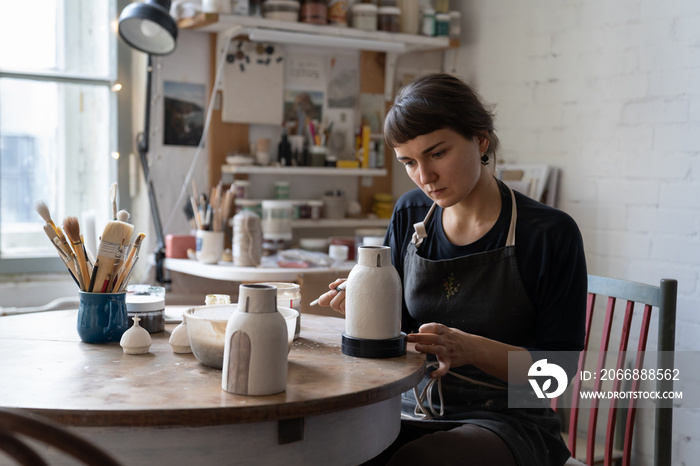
column 663, row 298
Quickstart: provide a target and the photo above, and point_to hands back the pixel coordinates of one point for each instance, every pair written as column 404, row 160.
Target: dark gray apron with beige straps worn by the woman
column 482, row 294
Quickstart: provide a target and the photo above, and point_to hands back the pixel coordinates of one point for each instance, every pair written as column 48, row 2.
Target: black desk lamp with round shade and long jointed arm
column 148, row 27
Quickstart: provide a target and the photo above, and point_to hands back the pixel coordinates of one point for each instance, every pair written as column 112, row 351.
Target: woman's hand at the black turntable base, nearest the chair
column 451, row 346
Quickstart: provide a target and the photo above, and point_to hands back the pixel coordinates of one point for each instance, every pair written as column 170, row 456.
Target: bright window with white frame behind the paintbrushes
column 57, row 116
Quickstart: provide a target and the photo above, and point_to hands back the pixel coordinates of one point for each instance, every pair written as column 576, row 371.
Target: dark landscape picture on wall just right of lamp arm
column 183, row 119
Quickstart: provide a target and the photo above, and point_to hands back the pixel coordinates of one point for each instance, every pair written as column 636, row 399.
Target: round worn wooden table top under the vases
column 45, row 368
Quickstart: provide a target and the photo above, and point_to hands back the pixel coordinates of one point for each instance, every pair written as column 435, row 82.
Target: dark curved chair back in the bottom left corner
column 16, row 427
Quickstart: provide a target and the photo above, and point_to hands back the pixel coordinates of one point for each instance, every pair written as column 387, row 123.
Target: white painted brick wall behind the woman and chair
column 610, row 93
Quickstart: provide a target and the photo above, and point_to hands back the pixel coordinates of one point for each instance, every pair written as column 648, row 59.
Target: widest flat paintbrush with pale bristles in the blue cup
column 115, row 237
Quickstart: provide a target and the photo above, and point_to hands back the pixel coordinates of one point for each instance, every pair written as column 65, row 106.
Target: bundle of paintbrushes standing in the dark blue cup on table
column 110, row 272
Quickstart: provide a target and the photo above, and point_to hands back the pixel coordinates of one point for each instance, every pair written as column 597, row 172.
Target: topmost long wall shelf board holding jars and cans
column 218, row 23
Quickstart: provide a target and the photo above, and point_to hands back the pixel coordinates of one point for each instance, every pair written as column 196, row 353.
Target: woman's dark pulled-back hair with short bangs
column 438, row 101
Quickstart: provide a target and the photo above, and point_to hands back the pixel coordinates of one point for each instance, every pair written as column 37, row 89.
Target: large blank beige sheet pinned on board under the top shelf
column 253, row 85
